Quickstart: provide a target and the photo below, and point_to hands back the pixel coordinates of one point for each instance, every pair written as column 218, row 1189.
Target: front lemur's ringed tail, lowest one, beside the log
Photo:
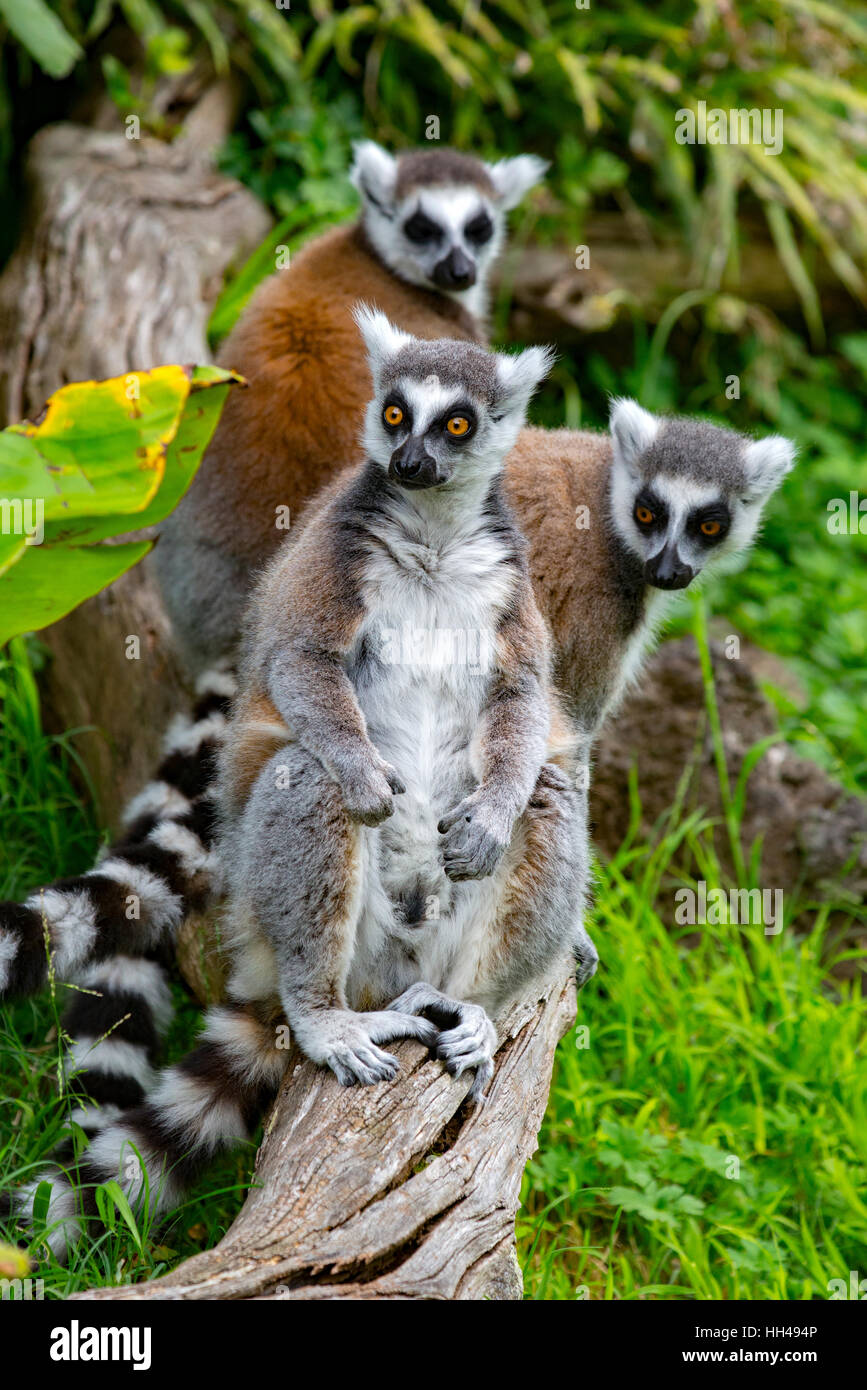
column 205, row 1104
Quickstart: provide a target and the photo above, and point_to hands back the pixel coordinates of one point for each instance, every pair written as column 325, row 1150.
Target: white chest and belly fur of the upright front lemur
column 436, row 591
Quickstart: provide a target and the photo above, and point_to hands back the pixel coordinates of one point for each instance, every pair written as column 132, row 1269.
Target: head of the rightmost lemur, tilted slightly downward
column 687, row 494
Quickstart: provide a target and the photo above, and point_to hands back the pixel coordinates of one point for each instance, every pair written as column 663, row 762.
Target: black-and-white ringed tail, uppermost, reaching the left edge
column 145, row 885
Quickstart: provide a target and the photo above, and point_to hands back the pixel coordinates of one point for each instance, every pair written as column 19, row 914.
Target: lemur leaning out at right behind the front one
column 616, row 522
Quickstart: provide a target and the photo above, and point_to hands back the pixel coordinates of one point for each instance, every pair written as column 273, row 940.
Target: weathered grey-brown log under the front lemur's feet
column 388, row 1192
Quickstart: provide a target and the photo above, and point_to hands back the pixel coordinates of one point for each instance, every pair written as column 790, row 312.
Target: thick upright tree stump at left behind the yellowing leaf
column 127, row 245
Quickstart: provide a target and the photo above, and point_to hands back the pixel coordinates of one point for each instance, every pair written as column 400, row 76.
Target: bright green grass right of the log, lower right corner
column 707, row 1138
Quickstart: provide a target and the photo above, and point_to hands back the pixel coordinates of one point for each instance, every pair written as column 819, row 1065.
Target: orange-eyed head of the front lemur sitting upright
column 445, row 412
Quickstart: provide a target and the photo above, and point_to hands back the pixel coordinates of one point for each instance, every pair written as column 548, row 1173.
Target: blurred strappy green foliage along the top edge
column 598, row 91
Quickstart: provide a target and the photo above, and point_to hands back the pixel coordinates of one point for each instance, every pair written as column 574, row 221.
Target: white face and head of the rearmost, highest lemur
column 437, row 218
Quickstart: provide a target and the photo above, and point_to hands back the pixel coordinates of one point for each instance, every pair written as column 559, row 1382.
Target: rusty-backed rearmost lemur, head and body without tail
column 431, row 227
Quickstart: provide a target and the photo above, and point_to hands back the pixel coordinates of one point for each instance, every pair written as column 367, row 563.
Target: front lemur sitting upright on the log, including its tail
column 363, row 782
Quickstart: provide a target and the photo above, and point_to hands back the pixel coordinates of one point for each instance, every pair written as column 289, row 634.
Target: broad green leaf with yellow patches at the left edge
column 105, row 459
